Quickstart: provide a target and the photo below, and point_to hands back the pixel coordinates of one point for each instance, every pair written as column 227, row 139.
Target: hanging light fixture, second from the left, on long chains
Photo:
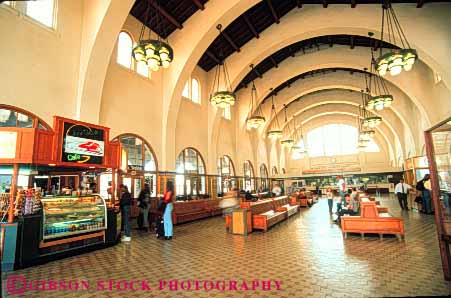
column 221, row 94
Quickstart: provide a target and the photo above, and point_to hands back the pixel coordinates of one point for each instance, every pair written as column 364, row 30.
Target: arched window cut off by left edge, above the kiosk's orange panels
column 14, row 117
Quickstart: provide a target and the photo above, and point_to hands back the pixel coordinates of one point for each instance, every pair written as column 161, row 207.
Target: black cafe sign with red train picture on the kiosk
column 83, row 144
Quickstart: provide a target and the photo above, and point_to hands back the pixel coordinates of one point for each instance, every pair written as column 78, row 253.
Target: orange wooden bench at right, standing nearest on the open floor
column 371, row 221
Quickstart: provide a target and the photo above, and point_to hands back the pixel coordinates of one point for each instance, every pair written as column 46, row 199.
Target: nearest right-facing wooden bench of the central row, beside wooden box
column 264, row 215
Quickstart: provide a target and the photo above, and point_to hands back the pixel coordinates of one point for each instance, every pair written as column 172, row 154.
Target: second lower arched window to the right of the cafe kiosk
column 190, row 178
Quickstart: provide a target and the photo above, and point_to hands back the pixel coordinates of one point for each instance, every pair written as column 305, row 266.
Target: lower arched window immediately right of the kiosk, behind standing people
column 141, row 159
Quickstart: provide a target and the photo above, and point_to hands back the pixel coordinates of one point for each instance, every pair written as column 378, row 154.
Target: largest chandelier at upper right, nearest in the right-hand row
column 395, row 60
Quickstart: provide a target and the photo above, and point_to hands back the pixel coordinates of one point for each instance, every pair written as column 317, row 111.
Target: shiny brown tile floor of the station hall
column 307, row 253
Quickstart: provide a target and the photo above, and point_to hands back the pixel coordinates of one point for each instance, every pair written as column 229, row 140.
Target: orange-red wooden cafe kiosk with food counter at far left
column 44, row 219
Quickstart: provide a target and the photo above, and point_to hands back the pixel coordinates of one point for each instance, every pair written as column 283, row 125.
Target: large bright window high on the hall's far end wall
column 332, row 139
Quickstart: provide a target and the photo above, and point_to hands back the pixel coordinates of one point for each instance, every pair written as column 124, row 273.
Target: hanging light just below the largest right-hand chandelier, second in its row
column 382, row 97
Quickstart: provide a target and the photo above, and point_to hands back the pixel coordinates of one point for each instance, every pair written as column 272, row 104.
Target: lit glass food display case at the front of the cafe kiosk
column 66, row 216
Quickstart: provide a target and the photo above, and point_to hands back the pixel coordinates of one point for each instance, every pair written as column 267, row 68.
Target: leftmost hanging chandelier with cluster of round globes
column 154, row 53
